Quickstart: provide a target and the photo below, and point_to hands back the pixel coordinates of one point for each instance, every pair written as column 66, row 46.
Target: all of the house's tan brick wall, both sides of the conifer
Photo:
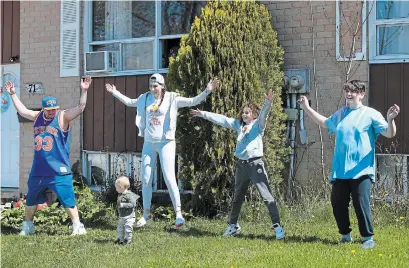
column 40, row 56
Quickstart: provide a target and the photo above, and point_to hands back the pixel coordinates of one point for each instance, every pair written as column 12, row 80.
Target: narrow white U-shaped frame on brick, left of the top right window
column 360, row 55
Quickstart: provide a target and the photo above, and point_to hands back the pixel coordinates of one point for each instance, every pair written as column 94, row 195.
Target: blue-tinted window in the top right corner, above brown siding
column 389, row 32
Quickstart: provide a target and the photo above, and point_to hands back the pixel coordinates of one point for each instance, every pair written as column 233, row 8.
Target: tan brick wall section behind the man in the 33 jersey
column 40, row 62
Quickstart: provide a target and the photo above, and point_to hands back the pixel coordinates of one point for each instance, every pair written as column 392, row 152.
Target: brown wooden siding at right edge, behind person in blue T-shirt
column 388, row 85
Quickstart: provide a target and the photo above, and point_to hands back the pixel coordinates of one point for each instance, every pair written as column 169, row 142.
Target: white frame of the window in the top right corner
column 373, row 42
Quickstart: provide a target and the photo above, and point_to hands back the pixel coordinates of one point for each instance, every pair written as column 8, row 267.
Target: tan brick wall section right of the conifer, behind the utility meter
column 297, row 29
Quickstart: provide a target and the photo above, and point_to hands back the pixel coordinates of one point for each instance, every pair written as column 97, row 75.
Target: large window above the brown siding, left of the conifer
column 144, row 34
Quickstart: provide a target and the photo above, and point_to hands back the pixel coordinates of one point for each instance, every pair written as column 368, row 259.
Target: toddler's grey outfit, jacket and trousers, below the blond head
column 126, row 205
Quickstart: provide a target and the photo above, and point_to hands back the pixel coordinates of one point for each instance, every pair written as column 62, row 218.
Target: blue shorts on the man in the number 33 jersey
column 61, row 185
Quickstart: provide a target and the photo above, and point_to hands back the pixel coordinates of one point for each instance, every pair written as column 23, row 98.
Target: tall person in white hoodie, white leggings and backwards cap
column 156, row 120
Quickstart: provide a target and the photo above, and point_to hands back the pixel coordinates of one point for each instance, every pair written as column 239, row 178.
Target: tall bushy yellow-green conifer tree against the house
column 234, row 41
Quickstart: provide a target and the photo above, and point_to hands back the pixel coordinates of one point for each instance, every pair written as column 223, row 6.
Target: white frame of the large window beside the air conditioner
column 156, row 46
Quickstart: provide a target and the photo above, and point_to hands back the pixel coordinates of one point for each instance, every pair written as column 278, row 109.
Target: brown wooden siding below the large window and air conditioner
column 108, row 124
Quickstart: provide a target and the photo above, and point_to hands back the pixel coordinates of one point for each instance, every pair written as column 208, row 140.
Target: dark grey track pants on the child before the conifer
column 252, row 170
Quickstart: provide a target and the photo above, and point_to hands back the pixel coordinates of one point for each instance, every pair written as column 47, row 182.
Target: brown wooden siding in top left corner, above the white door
column 10, row 30
